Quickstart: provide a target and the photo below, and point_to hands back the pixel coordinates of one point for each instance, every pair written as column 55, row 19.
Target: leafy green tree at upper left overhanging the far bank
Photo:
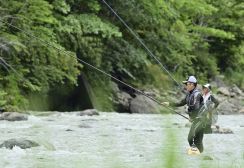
column 37, row 66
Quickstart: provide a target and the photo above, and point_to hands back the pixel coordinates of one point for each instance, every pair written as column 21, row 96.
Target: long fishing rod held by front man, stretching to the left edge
column 48, row 44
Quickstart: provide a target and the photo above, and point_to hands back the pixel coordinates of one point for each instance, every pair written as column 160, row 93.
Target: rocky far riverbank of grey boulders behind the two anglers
column 231, row 99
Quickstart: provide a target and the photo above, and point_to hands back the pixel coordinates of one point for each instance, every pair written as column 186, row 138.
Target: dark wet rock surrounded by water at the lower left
column 22, row 143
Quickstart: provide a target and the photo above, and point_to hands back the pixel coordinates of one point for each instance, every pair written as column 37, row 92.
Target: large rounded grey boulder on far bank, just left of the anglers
column 142, row 104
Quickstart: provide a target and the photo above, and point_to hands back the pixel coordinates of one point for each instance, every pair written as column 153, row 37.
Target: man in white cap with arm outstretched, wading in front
column 194, row 101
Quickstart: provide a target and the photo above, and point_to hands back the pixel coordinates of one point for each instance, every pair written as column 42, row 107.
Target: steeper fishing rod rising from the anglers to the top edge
column 142, row 43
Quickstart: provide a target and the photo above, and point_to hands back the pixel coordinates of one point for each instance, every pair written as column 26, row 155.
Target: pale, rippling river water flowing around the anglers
column 113, row 140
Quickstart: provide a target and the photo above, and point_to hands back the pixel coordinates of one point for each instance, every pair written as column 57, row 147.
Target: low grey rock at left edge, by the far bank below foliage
column 13, row 116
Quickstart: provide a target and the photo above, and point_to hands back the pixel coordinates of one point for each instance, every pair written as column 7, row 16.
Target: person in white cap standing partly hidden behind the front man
column 211, row 104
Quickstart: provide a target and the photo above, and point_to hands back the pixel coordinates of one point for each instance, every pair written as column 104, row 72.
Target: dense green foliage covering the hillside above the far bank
column 200, row 37
